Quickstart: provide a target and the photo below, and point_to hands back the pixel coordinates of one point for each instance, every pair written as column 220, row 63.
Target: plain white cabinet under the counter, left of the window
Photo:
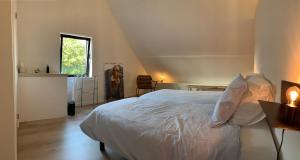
column 42, row 96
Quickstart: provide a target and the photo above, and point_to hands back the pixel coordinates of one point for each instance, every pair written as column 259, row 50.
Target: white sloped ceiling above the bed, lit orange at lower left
column 192, row 41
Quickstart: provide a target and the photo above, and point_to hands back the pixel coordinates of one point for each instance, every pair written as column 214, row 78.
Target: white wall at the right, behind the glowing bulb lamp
column 277, row 53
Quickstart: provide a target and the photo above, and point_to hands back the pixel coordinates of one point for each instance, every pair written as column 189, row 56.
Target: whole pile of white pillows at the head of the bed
column 239, row 103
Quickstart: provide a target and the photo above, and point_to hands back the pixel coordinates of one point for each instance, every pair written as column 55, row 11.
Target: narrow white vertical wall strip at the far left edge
column 7, row 109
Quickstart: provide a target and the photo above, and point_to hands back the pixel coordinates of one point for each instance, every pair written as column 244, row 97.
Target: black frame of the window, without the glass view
column 62, row 36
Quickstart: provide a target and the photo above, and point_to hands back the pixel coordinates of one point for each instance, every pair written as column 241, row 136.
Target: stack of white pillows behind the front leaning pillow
column 249, row 111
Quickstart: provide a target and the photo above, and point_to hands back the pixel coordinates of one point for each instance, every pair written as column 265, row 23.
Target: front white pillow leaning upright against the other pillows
column 229, row 101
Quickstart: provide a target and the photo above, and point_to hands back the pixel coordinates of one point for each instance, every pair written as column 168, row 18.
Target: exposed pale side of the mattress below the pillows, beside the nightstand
column 257, row 142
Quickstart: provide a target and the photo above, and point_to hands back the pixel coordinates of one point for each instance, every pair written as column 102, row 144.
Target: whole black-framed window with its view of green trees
column 75, row 55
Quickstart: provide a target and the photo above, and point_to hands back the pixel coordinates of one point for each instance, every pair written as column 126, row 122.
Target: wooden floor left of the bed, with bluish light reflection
column 59, row 139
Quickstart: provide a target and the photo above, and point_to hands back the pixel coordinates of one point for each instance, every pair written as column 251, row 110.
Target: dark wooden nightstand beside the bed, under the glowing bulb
column 276, row 118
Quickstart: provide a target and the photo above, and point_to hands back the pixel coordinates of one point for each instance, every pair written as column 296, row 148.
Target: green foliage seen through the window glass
column 74, row 56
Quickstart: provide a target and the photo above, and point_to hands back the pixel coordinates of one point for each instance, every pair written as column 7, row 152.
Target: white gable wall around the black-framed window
column 41, row 22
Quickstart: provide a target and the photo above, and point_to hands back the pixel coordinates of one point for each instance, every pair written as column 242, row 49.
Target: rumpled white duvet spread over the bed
column 164, row 125
